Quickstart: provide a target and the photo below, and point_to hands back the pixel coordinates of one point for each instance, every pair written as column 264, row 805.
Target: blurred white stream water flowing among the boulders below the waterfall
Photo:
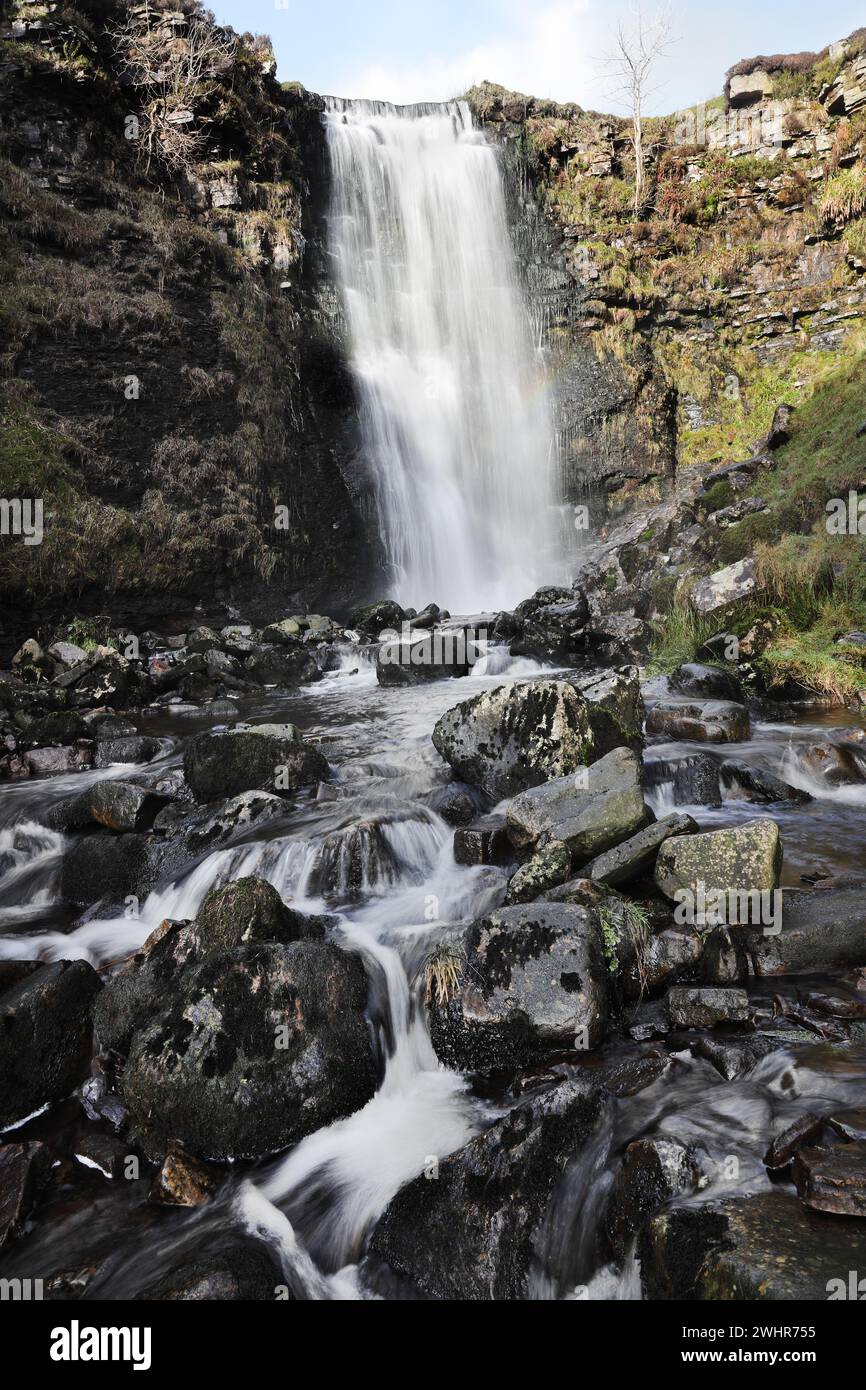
column 373, row 849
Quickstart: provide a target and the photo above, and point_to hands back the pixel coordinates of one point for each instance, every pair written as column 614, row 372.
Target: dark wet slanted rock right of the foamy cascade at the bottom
column 468, row 1235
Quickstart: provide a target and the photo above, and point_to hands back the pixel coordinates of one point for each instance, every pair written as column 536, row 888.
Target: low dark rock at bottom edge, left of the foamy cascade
column 243, row 1274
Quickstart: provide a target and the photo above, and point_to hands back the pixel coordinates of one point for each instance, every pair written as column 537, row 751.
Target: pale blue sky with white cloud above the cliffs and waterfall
column 402, row 52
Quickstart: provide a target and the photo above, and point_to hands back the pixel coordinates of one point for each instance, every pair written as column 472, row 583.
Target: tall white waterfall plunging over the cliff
column 457, row 425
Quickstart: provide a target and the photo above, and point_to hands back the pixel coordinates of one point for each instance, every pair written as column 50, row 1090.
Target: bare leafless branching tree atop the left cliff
column 170, row 59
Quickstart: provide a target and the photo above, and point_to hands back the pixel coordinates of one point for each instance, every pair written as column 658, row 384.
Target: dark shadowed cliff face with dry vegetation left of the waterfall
column 177, row 391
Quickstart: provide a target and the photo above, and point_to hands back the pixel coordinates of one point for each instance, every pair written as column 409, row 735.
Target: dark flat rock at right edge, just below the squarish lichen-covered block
column 819, row 932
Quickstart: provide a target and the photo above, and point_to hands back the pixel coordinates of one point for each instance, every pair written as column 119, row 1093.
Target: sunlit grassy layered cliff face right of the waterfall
column 673, row 332
